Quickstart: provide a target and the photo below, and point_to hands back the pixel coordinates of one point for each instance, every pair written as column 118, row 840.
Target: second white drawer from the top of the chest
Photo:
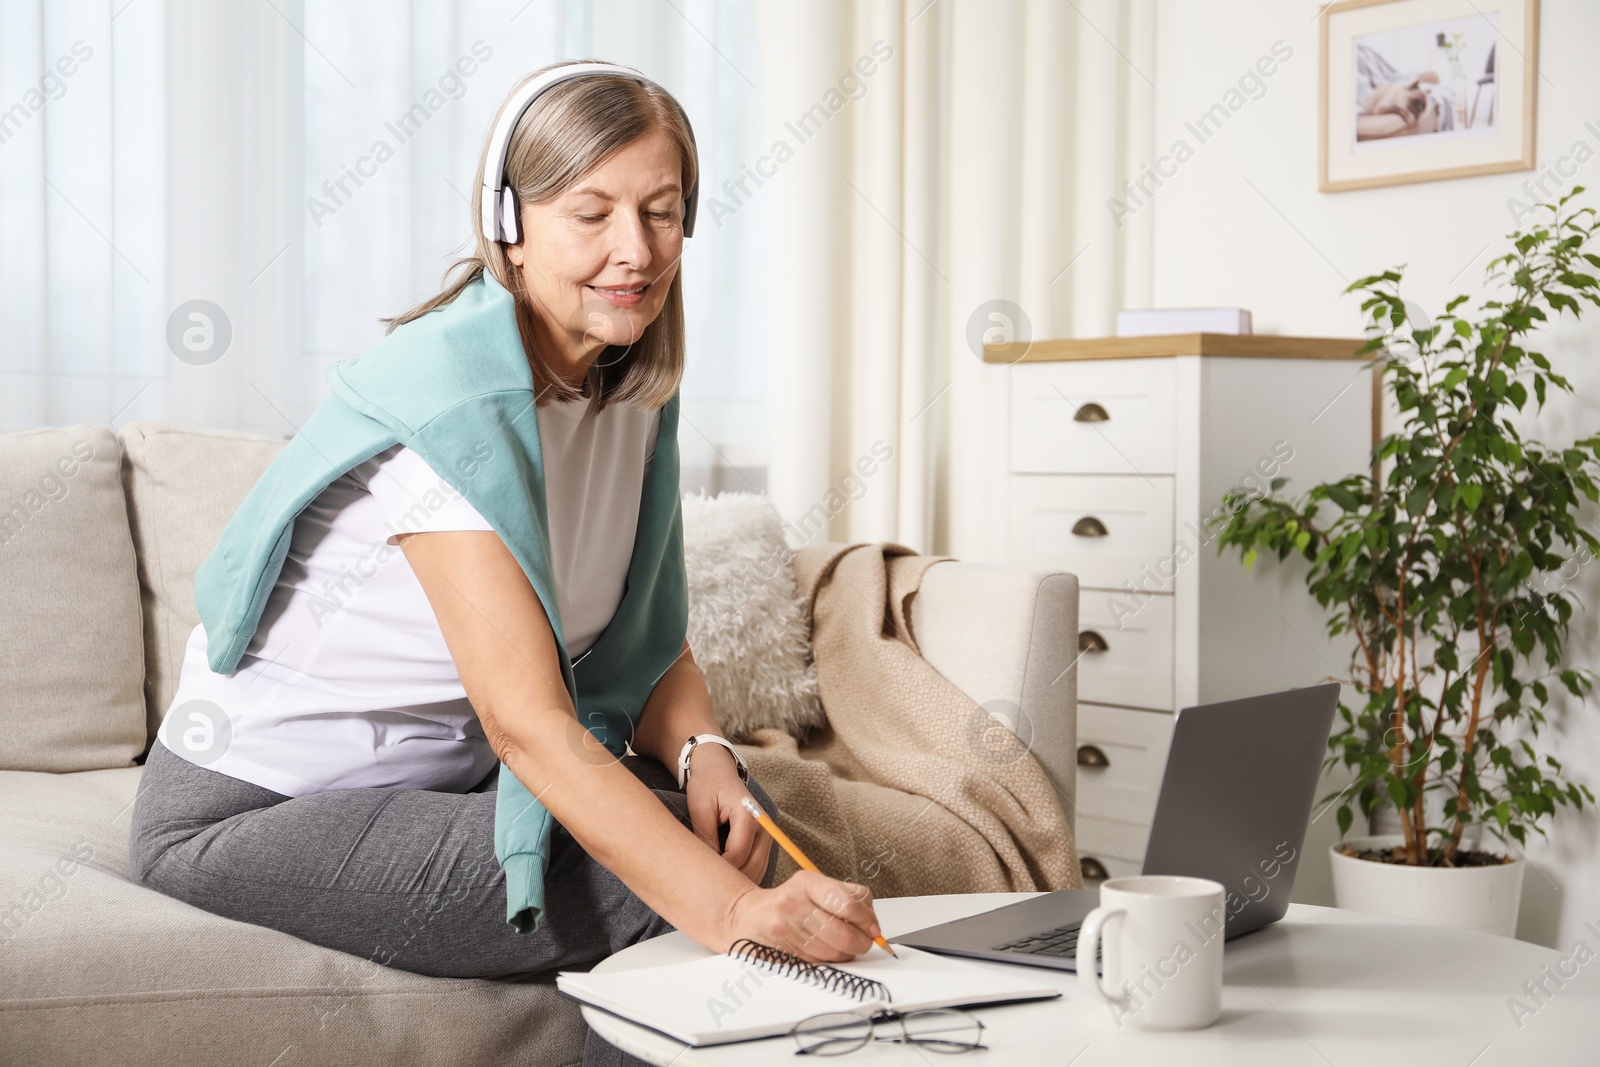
column 1105, row 529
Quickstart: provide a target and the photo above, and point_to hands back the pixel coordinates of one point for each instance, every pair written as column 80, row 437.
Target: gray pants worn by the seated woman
column 406, row 877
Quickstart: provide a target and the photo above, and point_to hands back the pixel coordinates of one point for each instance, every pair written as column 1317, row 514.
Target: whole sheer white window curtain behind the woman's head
column 305, row 169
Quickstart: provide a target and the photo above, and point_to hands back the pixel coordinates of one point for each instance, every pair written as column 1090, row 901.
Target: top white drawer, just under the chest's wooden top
column 1100, row 417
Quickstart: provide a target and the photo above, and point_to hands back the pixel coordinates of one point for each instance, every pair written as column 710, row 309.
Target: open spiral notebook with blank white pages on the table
column 758, row 991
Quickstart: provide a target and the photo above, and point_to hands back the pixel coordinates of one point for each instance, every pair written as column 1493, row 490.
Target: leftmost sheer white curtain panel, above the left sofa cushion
column 82, row 244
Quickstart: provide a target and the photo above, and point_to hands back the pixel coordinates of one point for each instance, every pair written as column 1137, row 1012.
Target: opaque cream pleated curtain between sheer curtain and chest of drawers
column 972, row 166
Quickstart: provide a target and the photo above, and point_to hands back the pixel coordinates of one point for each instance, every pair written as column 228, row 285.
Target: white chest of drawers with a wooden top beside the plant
column 1119, row 454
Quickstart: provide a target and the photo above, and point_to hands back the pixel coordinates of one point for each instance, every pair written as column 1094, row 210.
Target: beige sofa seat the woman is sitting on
column 95, row 969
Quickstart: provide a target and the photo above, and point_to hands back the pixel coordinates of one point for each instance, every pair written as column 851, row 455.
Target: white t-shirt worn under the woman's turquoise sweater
column 348, row 681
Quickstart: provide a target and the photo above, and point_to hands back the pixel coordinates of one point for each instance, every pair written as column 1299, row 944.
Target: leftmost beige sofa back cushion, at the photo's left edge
column 71, row 653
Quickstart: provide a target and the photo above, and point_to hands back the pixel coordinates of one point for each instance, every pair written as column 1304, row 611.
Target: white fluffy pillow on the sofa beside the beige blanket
column 746, row 629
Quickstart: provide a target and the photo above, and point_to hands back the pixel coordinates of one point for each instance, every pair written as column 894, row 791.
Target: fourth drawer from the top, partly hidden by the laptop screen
column 1132, row 753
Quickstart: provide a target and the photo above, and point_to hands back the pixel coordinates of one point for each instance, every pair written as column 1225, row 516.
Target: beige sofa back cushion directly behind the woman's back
column 183, row 487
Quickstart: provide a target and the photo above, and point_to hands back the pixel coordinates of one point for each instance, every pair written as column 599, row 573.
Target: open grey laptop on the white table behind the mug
column 1236, row 801
